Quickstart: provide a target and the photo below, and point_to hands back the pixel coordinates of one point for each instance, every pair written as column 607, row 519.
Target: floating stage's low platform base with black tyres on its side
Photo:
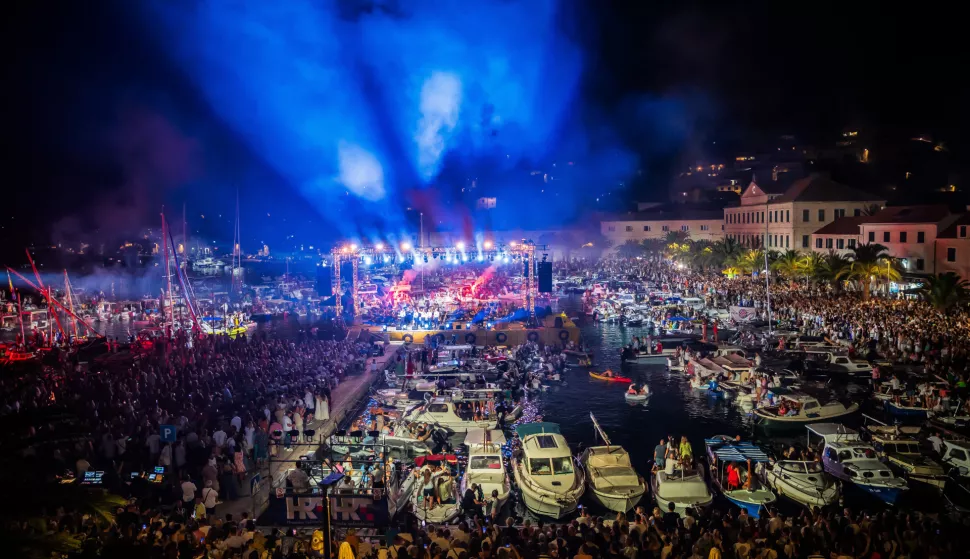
column 554, row 330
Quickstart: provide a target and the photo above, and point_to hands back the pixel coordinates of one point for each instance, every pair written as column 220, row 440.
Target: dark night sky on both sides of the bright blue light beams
column 82, row 83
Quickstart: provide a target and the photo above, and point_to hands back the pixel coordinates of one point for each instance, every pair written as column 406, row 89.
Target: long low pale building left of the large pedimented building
column 700, row 225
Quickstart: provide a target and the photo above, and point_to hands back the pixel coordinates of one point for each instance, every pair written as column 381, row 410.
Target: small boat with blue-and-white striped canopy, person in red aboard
column 750, row 493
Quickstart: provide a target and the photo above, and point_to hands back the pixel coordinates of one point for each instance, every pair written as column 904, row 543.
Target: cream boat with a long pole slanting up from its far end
column 610, row 476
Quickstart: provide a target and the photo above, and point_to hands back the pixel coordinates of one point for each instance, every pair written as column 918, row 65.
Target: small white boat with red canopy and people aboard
column 447, row 504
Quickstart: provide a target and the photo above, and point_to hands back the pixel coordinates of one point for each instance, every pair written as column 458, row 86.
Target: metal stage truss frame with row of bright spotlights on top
column 524, row 251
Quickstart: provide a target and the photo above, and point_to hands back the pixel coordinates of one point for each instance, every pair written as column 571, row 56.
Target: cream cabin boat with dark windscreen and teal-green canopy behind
column 544, row 471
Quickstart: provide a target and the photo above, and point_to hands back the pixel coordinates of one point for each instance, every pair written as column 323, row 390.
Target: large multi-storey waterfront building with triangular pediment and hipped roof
column 782, row 219
